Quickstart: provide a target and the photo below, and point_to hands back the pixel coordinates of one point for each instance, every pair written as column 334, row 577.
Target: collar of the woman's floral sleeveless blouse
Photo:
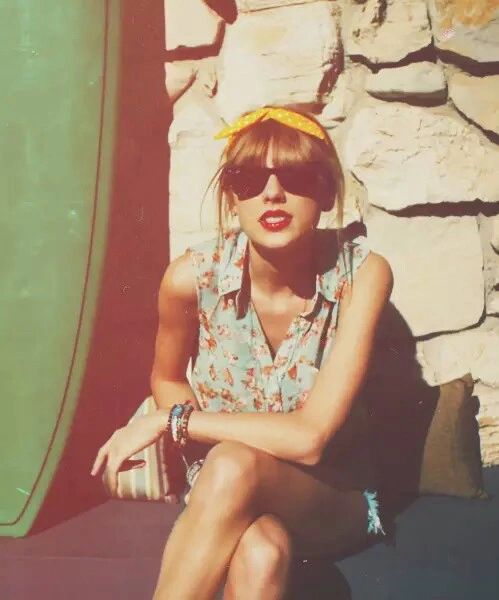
column 233, row 263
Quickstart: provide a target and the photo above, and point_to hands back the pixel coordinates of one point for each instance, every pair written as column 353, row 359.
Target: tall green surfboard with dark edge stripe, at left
column 58, row 76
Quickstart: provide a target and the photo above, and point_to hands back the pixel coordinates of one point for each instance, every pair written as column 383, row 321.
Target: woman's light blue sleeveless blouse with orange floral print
column 234, row 369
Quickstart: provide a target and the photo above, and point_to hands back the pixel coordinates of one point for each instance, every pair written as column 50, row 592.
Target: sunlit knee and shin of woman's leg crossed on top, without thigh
column 204, row 537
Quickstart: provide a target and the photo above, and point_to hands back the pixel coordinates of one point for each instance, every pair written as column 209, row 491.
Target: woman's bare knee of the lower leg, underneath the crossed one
column 265, row 550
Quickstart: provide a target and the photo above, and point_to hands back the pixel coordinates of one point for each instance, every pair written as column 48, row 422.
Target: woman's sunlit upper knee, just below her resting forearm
column 230, row 469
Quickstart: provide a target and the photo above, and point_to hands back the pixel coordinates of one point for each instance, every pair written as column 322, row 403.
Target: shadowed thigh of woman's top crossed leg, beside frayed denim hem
column 319, row 517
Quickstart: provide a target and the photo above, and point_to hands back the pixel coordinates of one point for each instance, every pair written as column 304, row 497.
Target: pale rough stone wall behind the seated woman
column 408, row 90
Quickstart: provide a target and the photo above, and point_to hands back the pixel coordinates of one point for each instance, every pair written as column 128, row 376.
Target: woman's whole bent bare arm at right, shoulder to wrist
column 300, row 436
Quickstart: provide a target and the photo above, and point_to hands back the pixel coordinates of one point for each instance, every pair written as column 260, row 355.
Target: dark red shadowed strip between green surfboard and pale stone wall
column 118, row 369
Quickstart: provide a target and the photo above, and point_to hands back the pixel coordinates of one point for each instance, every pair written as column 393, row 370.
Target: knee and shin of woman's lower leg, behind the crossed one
column 259, row 567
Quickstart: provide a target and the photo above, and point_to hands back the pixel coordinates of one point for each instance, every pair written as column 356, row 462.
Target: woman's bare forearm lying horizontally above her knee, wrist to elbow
column 284, row 435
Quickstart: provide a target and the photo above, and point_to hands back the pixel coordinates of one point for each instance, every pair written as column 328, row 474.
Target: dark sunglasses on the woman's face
column 308, row 179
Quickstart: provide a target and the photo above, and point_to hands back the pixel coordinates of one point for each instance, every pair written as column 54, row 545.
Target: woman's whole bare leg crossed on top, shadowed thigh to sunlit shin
column 236, row 485
